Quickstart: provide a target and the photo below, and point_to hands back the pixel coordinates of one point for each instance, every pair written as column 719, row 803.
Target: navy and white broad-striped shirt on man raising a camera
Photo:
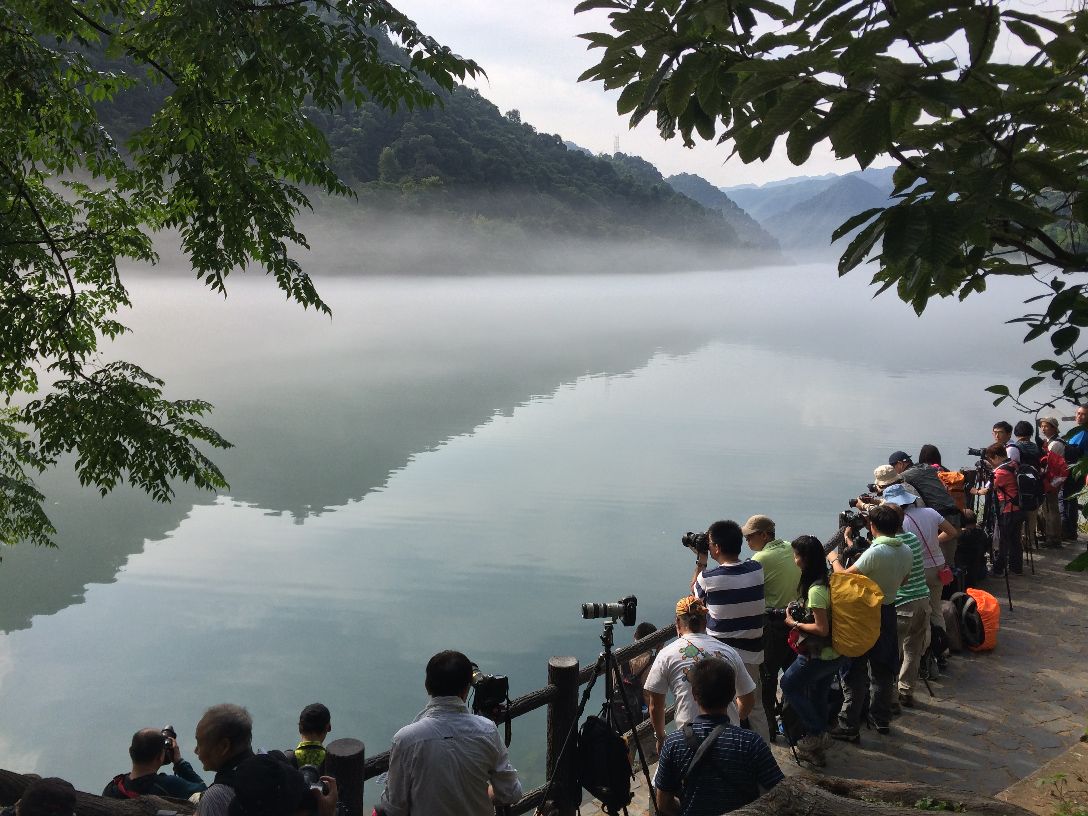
column 734, row 596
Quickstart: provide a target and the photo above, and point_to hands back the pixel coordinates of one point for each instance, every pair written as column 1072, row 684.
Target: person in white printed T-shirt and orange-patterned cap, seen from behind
column 673, row 666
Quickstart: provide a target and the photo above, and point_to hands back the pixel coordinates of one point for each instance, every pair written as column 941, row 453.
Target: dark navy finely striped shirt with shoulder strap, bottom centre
column 728, row 777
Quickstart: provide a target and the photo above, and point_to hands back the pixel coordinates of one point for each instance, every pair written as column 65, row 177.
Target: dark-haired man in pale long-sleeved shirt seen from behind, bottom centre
column 449, row 762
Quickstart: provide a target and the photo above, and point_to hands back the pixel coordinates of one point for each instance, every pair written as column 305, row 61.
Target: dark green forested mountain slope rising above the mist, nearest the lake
column 492, row 175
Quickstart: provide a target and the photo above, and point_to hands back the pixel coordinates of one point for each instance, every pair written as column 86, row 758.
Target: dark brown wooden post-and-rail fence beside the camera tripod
column 562, row 697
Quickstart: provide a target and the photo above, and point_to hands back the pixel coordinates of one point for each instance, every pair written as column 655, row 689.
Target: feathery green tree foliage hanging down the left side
column 222, row 159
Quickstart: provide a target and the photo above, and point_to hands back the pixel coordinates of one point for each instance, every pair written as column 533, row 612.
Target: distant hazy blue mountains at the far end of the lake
column 810, row 224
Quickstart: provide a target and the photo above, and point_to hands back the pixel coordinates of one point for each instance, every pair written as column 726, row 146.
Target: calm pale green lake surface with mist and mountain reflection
column 459, row 464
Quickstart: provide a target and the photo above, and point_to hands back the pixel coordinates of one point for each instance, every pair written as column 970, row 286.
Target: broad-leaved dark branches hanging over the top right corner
column 984, row 107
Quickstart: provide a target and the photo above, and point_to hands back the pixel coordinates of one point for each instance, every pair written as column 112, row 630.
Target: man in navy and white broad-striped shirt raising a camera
column 734, row 594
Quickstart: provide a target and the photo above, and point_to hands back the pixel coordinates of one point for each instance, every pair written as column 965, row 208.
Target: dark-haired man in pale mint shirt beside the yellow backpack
column 888, row 563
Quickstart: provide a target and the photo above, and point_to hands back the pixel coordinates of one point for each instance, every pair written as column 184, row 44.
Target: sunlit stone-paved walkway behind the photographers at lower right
column 995, row 719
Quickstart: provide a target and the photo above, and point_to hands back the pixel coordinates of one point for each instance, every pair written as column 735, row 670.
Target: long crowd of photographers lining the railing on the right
column 766, row 622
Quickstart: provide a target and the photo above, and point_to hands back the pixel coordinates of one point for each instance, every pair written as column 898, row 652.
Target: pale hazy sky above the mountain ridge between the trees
column 534, row 57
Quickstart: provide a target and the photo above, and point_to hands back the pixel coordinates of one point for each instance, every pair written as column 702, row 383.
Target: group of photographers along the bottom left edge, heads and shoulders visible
column 449, row 762
